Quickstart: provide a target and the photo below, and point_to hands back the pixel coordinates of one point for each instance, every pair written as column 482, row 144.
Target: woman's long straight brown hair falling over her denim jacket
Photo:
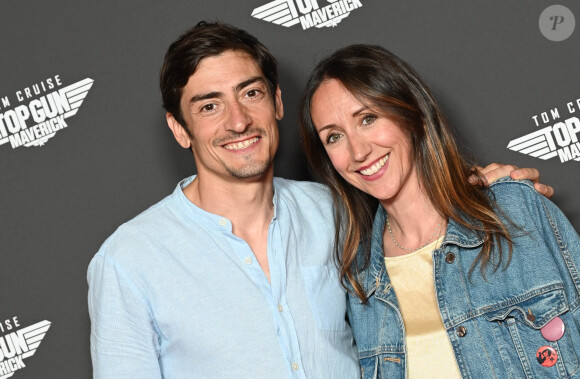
column 387, row 85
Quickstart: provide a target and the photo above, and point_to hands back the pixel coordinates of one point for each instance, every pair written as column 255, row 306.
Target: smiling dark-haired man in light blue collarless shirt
column 232, row 275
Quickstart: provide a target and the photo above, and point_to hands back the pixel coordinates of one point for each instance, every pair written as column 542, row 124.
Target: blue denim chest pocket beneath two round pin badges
column 516, row 327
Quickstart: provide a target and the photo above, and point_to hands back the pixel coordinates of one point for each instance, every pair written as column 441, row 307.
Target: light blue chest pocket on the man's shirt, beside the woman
column 326, row 296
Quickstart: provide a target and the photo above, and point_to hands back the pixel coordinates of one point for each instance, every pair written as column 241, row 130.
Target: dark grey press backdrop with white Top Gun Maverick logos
column 84, row 145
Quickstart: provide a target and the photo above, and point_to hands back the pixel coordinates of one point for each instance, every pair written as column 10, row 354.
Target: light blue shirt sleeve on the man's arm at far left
column 124, row 340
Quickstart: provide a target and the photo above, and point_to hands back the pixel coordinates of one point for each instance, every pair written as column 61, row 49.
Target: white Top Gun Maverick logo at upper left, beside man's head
column 34, row 123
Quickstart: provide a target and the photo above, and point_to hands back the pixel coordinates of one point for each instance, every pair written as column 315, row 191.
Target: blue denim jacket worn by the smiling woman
column 493, row 323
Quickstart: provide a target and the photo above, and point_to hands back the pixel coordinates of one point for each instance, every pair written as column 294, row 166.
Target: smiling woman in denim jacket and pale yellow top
column 446, row 279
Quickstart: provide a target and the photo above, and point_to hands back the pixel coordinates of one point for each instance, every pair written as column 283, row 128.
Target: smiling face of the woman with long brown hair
column 367, row 149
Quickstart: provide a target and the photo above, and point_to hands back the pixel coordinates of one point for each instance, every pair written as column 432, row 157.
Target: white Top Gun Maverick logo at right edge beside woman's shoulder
column 559, row 139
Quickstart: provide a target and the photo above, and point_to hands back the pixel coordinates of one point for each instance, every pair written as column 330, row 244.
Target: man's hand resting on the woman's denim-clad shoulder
column 494, row 171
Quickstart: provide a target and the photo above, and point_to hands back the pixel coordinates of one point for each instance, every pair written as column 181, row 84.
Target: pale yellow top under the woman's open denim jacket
column 429, row 351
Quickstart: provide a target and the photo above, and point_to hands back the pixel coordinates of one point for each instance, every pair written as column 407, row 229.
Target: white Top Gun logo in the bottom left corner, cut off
column 19, row 344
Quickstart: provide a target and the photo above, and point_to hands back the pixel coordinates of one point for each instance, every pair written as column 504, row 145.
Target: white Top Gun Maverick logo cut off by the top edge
column 286, row 12
